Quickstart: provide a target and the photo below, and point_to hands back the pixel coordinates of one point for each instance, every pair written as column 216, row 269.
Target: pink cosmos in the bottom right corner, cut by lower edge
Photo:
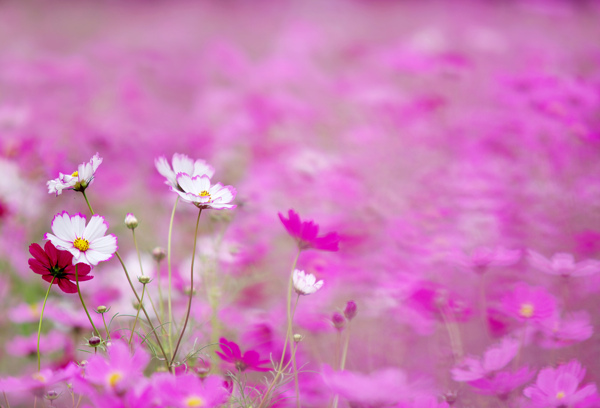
column 559, row 387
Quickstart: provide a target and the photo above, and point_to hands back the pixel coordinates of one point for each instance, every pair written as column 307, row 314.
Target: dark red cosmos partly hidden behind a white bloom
column 53, row 263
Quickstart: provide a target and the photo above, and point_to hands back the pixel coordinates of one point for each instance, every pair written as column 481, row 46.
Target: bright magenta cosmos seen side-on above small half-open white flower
column 305, row 233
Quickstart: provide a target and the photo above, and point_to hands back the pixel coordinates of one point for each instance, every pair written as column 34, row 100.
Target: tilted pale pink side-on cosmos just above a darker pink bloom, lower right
column 495, row 358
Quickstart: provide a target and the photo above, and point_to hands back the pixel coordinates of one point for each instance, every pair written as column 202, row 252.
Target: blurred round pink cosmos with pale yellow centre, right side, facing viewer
column 528, row 303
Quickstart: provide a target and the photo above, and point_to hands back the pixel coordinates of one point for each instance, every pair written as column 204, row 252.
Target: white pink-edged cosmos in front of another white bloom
column 198, row 191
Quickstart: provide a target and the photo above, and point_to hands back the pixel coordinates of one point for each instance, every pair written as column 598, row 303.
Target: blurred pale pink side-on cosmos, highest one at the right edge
column 563, row 264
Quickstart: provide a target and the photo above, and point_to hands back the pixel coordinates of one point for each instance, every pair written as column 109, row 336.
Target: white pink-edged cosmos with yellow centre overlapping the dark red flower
column 87, row 244
